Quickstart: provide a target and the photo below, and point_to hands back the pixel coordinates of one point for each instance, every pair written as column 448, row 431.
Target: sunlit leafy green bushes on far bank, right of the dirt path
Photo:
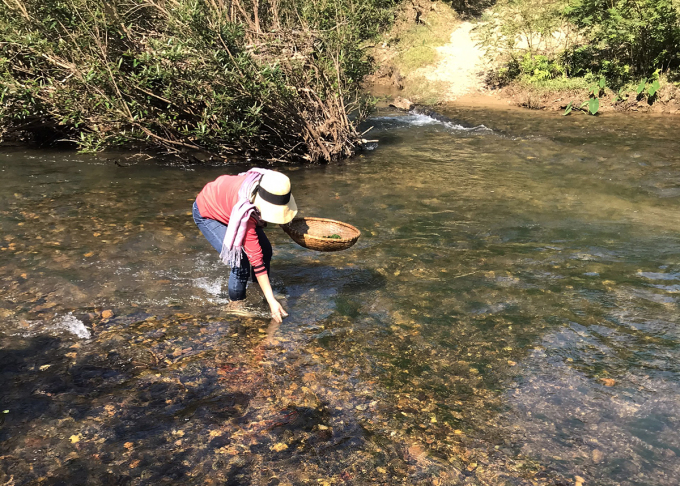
column 622, row 40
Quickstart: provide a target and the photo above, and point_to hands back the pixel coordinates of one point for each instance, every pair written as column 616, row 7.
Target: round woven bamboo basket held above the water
column 313, row 233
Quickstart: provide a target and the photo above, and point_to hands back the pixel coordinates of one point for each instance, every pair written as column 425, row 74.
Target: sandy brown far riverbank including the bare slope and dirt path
column 459, row 72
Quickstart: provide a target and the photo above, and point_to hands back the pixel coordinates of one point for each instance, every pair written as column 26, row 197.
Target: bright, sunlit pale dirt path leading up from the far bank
column 460, row 64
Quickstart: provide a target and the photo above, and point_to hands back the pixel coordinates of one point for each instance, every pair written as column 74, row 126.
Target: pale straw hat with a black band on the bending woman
column 273, row 198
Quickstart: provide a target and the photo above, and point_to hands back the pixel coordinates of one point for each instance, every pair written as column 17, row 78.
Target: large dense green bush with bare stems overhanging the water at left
column 262, row 79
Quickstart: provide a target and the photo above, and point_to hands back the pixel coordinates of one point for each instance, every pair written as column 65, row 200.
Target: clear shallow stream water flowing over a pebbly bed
column 509, row 315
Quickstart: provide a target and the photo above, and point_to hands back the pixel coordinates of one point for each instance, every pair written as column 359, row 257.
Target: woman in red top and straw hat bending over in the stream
column 230, row 212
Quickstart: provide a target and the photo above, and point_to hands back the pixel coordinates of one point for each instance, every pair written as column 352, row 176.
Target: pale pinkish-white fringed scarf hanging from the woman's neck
column 232, row 245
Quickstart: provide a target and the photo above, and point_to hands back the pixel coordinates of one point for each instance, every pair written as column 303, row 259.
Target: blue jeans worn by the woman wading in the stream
column 214, row 232
